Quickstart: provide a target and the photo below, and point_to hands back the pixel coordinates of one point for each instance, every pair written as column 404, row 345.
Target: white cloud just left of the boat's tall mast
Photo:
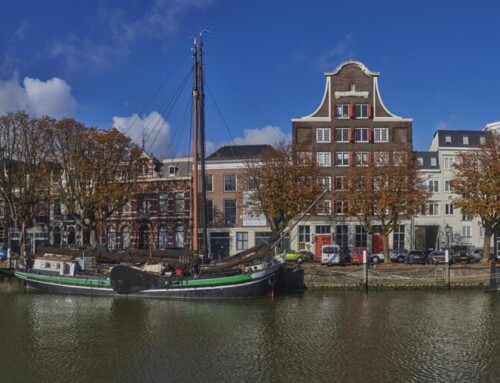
column 152, row 130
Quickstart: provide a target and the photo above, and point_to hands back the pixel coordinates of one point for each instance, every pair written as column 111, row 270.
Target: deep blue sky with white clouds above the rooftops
column 104, row 63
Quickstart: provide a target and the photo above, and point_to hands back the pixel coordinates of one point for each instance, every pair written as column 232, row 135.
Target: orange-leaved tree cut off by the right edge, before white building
column 476, row 185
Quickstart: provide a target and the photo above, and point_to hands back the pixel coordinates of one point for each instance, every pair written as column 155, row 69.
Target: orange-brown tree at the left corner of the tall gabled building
column 280, row 184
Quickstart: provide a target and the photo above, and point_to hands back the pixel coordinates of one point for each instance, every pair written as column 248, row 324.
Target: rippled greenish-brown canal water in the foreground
column 314, row 336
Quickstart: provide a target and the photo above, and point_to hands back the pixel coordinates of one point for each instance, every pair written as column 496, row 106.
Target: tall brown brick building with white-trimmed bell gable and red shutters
column 350, row 125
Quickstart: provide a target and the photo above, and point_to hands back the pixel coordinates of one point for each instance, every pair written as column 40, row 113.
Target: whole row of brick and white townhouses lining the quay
column 350, row 124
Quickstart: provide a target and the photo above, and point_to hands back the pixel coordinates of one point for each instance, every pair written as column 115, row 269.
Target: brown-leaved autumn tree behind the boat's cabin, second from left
column 98, row 170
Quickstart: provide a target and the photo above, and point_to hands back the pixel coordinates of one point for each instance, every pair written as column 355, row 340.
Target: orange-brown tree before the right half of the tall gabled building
column 382, row 190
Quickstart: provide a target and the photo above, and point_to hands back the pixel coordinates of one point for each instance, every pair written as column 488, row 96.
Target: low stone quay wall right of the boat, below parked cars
column 387, row 277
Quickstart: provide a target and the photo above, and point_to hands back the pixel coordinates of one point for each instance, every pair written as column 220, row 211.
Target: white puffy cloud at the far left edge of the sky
column 52, row 97
